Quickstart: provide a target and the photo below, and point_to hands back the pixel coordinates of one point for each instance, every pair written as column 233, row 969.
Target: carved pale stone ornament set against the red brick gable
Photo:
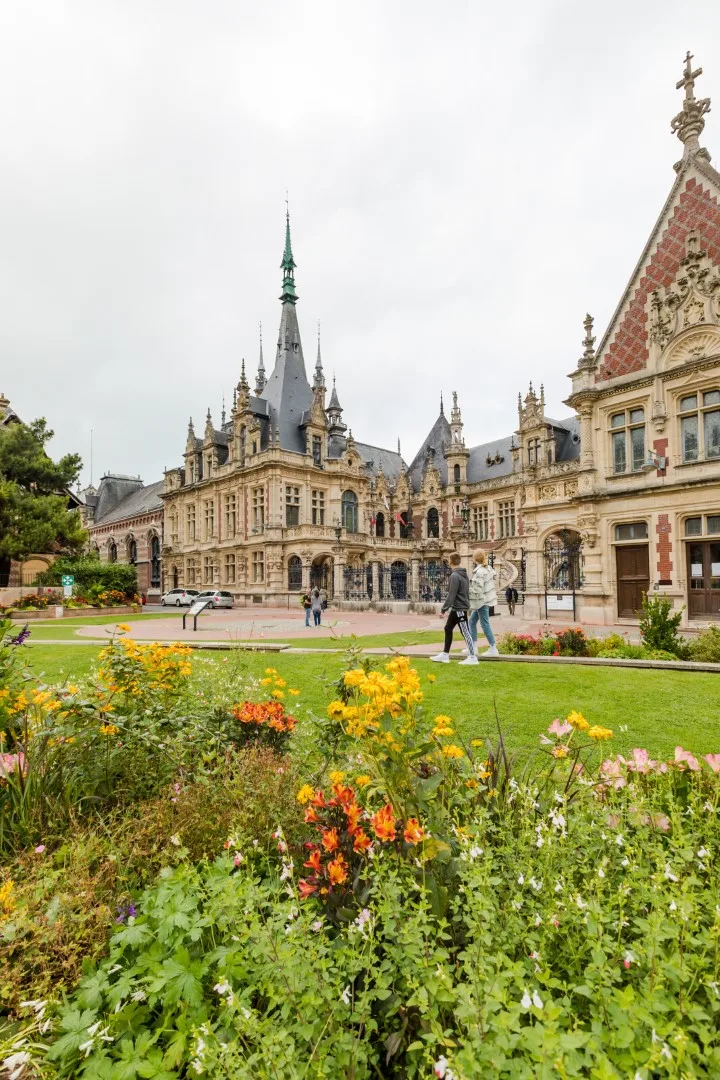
column 684, row 319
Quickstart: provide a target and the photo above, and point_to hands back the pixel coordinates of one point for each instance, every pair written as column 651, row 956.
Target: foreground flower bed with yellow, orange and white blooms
column 424, row 907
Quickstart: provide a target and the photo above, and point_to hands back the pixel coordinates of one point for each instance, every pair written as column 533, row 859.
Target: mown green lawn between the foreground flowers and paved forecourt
column 654, row 709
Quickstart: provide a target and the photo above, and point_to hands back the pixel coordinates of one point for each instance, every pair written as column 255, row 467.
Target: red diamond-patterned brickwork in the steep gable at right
column 697, row 209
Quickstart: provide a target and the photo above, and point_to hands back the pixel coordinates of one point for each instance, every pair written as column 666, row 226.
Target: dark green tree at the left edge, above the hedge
column 34, row 495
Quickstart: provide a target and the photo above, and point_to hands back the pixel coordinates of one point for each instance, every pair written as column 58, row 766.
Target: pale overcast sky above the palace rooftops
column 466, row 181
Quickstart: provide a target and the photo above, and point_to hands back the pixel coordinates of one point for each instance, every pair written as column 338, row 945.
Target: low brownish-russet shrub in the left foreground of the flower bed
column 67, row 900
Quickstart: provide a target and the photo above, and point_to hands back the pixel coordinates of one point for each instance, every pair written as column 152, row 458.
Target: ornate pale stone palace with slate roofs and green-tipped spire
column 585, row 515
